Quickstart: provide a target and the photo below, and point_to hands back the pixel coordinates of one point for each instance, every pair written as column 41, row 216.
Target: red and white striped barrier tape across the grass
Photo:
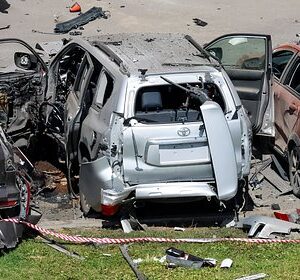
column 97, row 240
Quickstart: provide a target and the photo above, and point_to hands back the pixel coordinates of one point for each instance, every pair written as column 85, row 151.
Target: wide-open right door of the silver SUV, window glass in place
column 247, row 59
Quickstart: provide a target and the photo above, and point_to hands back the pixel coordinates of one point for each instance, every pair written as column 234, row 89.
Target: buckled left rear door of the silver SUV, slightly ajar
column 75, row 106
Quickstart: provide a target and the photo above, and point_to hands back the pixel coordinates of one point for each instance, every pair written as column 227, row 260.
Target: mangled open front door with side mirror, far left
column 23, row 79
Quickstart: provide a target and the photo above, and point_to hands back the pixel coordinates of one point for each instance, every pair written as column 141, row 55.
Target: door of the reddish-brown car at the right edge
column 287, row 105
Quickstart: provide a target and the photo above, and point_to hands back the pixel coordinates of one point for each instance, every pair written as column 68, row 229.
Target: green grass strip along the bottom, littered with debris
column 33, row 259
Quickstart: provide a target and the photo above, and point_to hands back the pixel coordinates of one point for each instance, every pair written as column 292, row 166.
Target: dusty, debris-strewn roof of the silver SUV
column 156, row 52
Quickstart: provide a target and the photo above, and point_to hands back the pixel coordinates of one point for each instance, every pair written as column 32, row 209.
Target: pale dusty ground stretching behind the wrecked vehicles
column 274, row 17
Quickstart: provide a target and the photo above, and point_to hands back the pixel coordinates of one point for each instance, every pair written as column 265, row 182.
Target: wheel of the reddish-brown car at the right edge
column 294, row 169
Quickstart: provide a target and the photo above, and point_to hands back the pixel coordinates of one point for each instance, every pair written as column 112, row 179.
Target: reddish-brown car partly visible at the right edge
column 286, row 68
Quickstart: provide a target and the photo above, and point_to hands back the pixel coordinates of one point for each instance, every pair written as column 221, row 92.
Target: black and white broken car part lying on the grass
column 177, row 257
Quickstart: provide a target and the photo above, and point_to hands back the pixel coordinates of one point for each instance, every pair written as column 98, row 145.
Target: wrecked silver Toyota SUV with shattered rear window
column 155, row 117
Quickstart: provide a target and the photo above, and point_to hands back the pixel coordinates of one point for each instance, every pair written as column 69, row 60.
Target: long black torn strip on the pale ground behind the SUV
column 90, row 15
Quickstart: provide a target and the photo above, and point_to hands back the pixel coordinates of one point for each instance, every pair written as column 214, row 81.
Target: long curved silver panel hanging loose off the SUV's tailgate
column 221, row 150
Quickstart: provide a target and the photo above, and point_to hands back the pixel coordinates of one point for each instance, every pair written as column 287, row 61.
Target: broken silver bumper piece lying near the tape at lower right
column 266, row 227
